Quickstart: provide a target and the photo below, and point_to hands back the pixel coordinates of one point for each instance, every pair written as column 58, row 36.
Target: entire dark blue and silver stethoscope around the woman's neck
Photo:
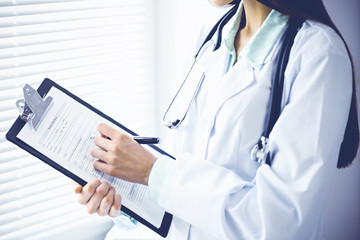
column 260, row 152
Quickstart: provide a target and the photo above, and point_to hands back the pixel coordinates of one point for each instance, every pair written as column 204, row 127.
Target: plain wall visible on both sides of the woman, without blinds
column 177, row 24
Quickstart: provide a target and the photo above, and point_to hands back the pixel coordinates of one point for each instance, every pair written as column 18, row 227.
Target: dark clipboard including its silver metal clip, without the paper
column 33, row 110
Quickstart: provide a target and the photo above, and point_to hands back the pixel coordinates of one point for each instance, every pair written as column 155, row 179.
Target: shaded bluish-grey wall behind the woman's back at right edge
column 343, row 208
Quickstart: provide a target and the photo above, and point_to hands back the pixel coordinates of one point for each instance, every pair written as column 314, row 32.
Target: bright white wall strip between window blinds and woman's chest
column 177, row 24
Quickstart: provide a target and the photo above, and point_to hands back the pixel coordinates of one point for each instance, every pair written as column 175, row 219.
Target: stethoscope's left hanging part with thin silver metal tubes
column 173, row 124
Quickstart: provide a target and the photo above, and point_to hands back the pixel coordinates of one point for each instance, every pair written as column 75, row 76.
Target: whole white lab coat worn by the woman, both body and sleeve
column 215, row 191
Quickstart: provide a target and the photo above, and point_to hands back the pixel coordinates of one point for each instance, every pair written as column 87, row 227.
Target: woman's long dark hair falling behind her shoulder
column 316, row 11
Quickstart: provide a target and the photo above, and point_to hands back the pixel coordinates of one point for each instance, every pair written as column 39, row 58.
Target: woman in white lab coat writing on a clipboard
column 214, row 189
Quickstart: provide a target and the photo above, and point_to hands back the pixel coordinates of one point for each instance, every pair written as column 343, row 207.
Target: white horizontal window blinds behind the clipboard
column 100, row 51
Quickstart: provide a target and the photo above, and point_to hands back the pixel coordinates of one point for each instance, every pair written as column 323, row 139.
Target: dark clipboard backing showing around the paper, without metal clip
column 17, row 126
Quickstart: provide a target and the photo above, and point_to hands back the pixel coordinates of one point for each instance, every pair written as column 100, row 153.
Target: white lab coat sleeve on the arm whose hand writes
column 283, row 201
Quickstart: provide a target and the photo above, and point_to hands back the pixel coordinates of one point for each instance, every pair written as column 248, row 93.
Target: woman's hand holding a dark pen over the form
column 120, row 156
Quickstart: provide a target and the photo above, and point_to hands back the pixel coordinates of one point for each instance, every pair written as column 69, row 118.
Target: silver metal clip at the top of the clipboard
column 33, row 107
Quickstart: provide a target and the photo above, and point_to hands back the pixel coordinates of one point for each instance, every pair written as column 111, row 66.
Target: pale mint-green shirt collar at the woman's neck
column 260, row 45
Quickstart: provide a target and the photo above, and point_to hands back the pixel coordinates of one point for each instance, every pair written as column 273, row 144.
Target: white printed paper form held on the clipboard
column 65, row 135
